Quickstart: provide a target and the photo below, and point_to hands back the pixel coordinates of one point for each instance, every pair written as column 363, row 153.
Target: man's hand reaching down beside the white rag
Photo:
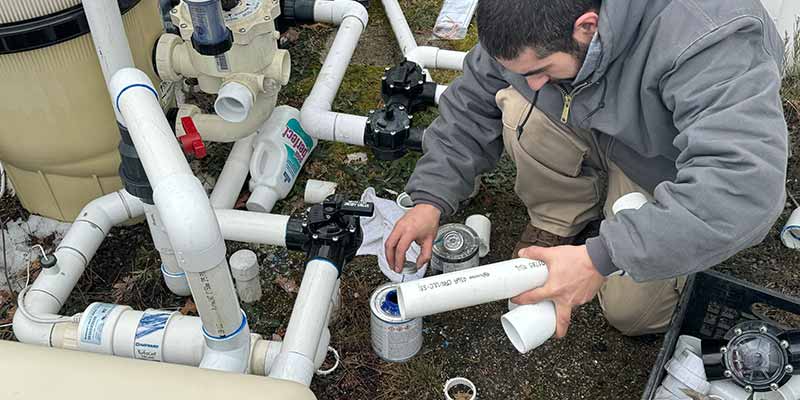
column 418, row 225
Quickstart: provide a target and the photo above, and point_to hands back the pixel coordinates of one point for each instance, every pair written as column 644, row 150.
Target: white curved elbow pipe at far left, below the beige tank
column 52, row 287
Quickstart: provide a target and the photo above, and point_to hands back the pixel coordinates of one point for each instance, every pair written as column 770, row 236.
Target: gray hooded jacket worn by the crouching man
column 684, row 98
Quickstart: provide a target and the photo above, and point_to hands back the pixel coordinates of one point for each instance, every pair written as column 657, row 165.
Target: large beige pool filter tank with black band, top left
column 58, row 135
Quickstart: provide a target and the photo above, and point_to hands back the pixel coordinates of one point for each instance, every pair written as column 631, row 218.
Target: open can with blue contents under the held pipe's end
column 394, row 339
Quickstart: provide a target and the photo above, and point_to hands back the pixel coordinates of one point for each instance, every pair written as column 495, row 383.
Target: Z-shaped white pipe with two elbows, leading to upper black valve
column 316, row 116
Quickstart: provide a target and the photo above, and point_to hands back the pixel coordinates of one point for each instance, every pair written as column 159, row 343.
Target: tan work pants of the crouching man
column 566, row 181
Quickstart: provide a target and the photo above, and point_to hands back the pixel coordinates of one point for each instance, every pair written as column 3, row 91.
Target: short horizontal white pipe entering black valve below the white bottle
column 253, row 227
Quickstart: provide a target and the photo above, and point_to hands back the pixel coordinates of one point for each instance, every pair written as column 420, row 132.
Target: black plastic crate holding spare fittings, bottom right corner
column 710, row 305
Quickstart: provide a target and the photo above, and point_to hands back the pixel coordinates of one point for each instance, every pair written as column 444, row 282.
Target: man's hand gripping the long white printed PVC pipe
column 572, row 280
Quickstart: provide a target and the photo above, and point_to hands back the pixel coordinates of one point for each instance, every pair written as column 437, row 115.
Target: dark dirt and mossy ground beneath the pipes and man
column 593, row 362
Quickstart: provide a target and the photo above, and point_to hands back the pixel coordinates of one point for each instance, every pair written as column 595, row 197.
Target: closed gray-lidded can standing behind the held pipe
column 455, row 248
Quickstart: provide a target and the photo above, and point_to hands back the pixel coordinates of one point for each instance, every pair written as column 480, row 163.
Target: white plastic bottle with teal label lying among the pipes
column 280, row 150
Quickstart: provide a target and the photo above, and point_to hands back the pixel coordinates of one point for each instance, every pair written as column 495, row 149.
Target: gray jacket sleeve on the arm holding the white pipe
column 729, row 190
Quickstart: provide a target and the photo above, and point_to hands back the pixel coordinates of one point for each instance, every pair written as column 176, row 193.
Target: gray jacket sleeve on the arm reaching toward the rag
column 465, row 140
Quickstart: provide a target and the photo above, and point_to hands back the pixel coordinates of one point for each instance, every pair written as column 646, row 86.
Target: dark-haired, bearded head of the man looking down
column 544, row 40
